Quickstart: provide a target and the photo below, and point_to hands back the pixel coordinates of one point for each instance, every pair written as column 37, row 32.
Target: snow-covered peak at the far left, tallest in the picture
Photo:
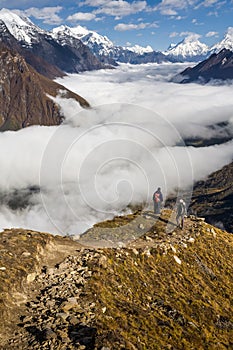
column 21, row 28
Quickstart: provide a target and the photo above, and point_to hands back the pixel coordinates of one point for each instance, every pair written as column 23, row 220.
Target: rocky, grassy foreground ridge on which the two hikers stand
column 166, row 289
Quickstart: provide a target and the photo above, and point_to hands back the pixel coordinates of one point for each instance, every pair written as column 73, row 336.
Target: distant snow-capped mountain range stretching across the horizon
column 76, row 49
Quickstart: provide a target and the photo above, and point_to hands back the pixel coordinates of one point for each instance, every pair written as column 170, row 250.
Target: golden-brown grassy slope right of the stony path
column 153, row 302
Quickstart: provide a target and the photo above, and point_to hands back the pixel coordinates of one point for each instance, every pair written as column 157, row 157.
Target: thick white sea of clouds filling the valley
column 113, row 156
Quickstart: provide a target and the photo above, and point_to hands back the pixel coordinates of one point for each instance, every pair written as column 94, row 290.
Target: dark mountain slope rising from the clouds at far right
column 217, row 66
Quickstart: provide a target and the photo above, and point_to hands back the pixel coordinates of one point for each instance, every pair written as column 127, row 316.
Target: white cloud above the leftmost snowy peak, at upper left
column 49, row 15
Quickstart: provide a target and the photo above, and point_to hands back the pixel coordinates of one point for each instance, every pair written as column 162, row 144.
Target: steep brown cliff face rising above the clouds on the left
column 23, row 94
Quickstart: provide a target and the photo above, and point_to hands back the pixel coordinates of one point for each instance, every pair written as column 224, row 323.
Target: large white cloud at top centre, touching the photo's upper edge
column 117, row 8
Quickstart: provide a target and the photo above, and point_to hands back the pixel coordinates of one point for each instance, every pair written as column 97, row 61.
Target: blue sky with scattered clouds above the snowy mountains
column 145, row 22
